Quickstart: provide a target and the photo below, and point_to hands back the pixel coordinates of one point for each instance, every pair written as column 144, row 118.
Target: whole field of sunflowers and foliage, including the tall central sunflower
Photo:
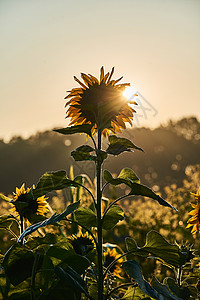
column 71, row 237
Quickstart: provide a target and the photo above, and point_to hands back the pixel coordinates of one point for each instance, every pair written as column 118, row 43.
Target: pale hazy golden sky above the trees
column 154, row 44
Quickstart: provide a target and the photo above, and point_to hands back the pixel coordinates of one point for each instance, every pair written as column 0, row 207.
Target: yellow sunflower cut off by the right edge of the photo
column 195, row 213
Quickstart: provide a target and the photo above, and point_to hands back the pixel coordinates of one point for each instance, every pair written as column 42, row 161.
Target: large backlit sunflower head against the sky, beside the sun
column 100, row 103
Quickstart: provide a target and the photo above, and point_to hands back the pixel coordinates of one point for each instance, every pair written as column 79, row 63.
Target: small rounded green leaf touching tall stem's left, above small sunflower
column 86, row 217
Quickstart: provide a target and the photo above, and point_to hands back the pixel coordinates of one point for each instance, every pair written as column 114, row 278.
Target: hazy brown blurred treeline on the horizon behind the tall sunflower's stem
column 168, row 150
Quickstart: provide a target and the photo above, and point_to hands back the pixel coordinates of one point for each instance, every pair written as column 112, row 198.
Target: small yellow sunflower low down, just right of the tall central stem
column 109, row 257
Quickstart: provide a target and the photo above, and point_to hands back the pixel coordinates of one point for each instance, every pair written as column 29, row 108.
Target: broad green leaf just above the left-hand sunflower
column 52, row 181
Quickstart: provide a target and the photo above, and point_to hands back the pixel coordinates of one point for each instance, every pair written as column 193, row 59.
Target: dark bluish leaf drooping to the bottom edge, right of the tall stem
column 133, row 269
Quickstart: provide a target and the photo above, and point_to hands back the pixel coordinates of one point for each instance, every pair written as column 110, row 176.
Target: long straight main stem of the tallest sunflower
column 99, row 220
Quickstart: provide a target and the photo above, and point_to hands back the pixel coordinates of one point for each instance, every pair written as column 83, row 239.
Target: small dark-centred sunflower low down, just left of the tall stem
column 82, row 243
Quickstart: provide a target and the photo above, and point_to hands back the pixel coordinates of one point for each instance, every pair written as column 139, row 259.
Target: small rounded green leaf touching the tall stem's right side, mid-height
column 112, row 217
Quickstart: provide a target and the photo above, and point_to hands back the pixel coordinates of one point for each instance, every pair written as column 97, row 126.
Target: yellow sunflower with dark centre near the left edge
column 26, row 206
